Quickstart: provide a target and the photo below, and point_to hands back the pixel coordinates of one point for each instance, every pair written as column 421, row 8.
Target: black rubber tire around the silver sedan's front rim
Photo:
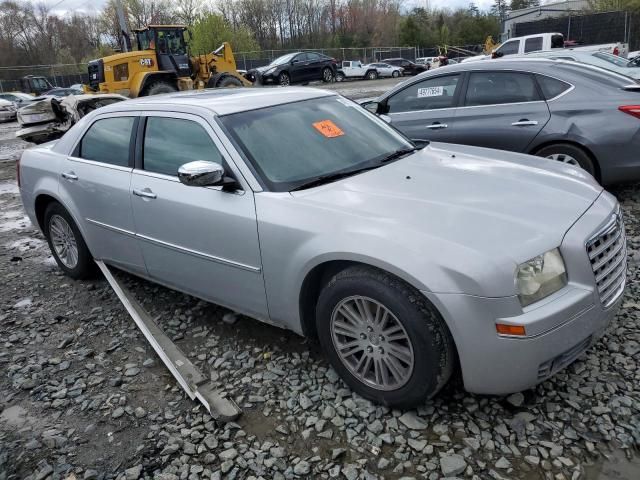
column 430, row 339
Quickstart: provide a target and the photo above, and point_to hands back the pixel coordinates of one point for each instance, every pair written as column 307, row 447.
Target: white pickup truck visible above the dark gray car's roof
column 547, row 41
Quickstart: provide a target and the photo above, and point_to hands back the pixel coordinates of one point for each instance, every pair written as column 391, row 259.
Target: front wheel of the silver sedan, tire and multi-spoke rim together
column 383, row 337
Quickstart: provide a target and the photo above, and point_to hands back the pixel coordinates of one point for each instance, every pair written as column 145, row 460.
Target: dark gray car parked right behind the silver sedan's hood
column 577, row 114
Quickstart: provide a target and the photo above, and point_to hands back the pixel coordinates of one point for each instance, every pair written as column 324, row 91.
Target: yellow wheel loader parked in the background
column 161, row 64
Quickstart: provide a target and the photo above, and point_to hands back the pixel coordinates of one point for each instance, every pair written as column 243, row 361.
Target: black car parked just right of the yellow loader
column 300, row 67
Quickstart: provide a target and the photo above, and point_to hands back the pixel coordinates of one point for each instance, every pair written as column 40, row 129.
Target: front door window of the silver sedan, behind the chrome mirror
column 172, row 142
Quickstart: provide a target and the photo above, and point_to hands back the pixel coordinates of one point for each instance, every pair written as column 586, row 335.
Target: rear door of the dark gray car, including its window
column 501, row 109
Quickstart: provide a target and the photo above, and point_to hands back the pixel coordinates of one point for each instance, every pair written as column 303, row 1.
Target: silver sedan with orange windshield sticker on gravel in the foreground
column 300, row 208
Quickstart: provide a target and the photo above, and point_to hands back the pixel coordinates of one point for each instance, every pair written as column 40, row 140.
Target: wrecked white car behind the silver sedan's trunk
column 49, row 118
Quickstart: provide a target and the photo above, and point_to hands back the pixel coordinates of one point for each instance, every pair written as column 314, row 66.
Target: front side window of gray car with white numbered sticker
column 429, row 94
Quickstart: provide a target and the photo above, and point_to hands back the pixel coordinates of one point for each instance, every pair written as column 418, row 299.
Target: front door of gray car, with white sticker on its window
column 426, row 110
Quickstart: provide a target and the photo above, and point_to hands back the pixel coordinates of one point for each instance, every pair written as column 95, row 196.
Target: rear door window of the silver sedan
column 107, row 141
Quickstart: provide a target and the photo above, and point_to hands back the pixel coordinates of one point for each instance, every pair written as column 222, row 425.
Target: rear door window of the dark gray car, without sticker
column 494, row 88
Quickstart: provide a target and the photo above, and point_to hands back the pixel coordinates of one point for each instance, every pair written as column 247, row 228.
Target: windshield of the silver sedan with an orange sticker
column 324, row 137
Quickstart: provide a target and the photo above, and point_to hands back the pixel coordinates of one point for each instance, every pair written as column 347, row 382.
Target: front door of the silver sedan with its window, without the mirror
column 202, row 240
